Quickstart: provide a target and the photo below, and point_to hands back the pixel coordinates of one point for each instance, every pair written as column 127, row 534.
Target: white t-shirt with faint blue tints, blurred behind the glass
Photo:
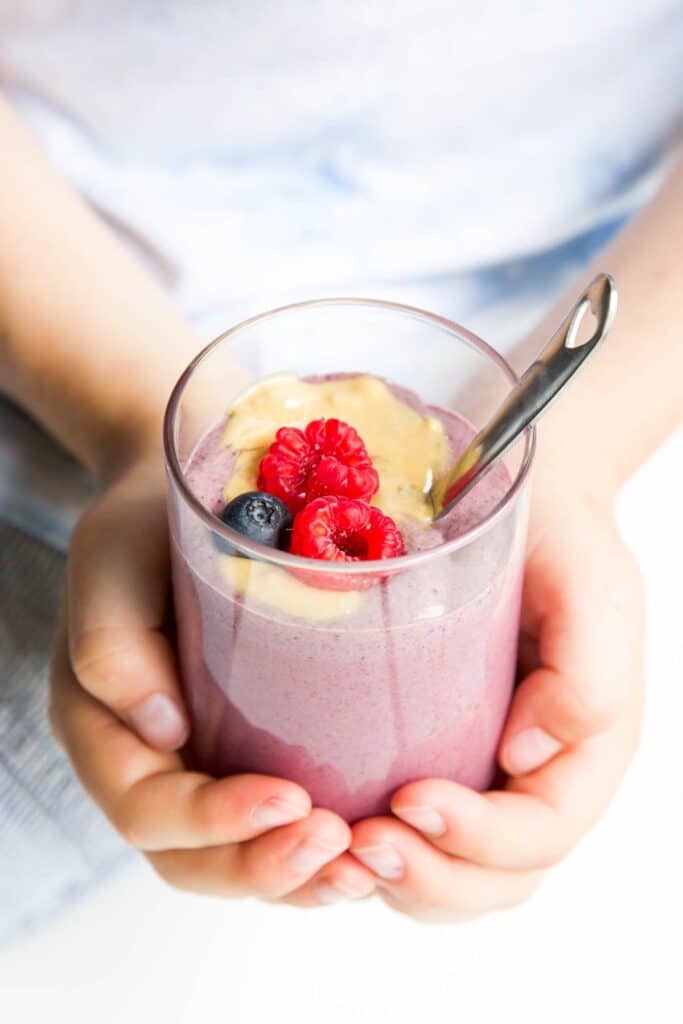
column 270, row 148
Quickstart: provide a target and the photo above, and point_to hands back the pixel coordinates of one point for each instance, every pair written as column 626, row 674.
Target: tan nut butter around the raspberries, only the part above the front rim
column 408, row 450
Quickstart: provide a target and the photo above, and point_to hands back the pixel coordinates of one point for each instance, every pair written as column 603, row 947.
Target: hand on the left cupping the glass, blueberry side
column 115, row 672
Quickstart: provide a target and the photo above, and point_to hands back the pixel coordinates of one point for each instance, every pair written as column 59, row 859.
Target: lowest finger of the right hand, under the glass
column 419, row 876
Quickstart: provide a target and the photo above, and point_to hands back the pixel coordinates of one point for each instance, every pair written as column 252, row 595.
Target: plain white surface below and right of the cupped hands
column 601, row 942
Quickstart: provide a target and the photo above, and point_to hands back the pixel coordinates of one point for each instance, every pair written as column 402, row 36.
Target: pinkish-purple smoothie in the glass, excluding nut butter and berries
column 414, row 684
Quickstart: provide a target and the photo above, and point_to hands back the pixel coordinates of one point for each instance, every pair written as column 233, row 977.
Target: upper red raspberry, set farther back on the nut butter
column 327, row 458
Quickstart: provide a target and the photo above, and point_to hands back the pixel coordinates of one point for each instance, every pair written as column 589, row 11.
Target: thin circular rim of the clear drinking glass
column 385, row 568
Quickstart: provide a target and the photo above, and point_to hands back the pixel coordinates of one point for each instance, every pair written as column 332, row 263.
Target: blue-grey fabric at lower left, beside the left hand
column 55, row 844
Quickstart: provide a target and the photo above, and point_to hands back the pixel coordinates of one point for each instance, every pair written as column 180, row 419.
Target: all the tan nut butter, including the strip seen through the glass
column 408, row 451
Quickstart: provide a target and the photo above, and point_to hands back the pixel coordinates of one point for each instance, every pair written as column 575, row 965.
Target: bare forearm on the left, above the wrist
column 90, row 345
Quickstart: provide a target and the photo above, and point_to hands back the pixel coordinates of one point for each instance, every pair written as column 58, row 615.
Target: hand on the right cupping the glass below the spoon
column 573, row 729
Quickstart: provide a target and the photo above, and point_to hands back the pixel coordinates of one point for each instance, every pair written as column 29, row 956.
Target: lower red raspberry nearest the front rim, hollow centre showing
column 344, row 530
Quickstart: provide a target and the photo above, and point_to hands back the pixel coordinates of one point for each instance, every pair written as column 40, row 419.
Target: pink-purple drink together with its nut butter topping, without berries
column 353, row 692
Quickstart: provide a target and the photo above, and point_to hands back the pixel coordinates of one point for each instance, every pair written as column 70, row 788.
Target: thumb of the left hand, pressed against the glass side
column 117, row 595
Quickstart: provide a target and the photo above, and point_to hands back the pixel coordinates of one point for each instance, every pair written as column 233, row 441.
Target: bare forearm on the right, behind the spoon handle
column 631, row 396
